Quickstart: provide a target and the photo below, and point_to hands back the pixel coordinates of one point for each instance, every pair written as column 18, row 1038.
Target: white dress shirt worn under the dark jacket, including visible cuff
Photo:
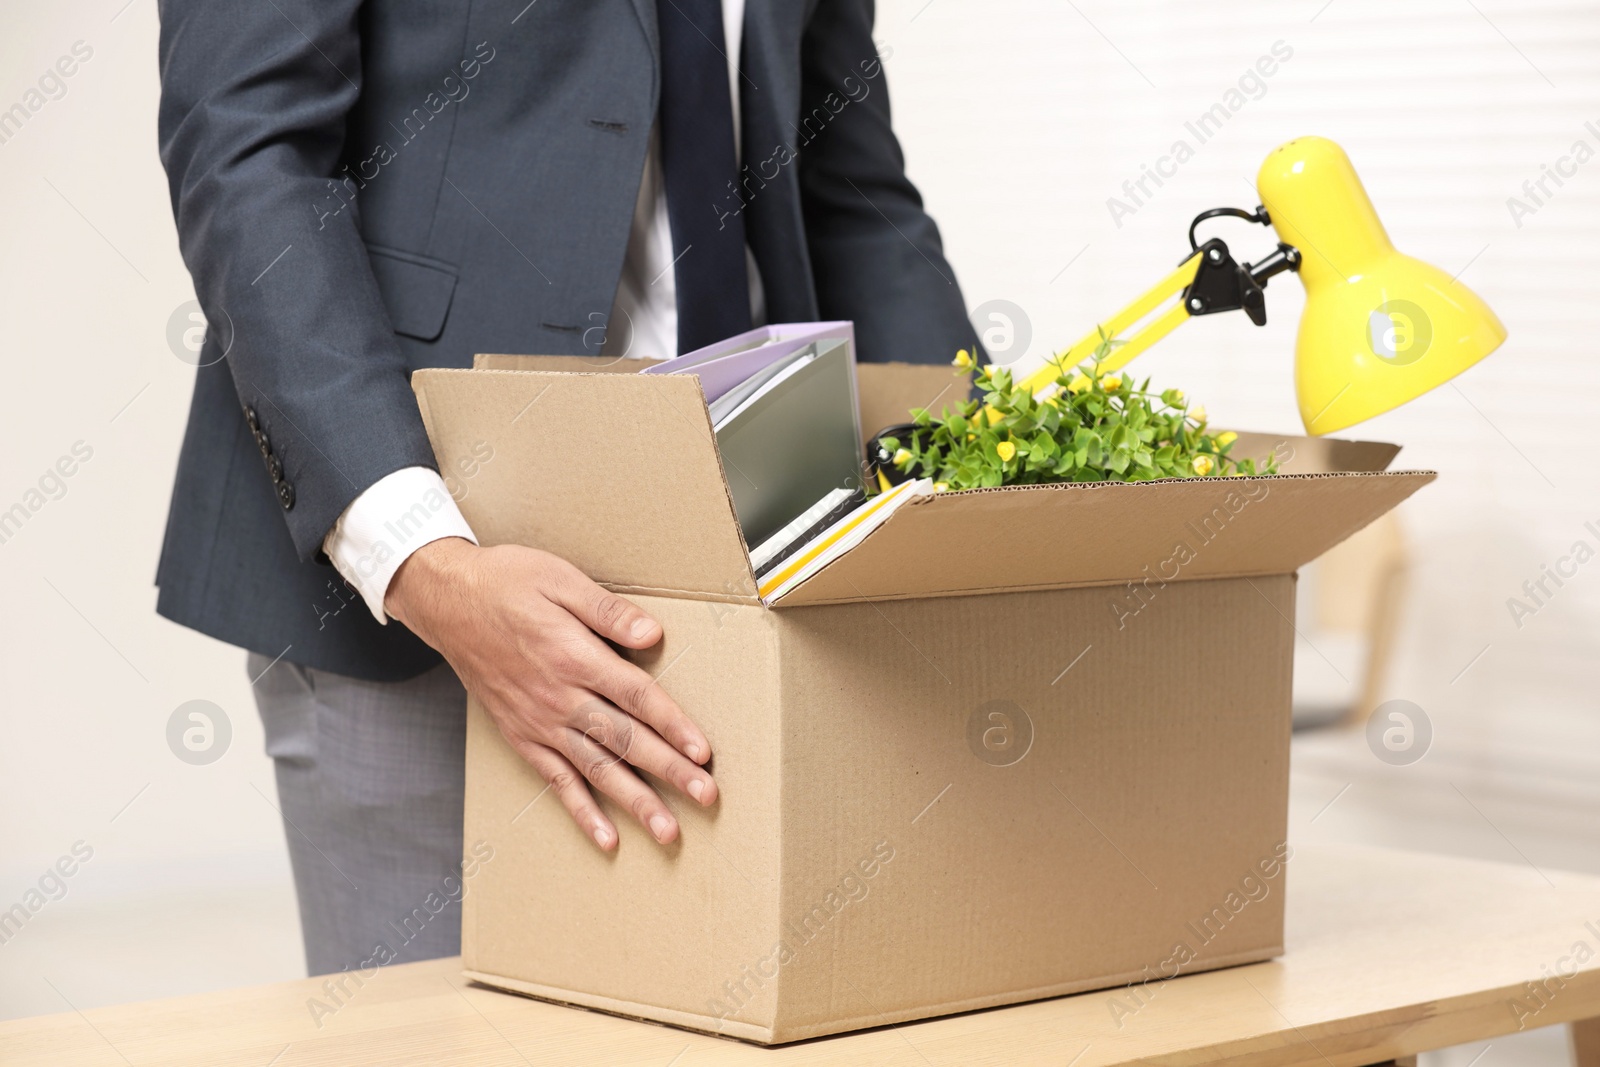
column 410, row 508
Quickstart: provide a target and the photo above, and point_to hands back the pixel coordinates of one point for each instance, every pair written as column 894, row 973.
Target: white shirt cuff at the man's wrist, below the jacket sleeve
column 385, row 526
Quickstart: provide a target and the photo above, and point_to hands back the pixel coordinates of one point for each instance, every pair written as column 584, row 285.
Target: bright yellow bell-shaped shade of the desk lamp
column 1380, row 329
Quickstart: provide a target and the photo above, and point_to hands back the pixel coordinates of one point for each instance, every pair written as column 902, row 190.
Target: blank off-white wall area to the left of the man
column 89, row 278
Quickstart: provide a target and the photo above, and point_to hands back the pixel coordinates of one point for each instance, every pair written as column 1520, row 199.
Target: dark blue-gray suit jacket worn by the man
column 366, row 188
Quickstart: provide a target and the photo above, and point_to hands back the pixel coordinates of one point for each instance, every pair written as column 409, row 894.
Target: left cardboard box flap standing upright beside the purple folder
column 615, row 473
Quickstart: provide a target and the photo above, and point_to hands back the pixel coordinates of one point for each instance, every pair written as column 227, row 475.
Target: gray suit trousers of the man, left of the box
column 370, row 785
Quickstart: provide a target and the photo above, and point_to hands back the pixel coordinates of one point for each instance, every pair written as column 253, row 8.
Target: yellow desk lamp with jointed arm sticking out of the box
column 1380, row 329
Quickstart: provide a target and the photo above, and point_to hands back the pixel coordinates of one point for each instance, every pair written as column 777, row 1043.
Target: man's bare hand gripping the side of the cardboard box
column 524, row 631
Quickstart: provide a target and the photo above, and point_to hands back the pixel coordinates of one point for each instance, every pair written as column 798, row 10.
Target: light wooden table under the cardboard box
column 1390, row 954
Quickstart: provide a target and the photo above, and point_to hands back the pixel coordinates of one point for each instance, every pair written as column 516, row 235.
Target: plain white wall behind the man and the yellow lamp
column 1020, row 122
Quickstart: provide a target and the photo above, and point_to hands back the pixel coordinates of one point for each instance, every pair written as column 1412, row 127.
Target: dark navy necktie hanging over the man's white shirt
column 698, row 162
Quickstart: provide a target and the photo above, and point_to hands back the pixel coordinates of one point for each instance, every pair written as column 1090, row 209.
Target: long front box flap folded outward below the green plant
column 1100, row 533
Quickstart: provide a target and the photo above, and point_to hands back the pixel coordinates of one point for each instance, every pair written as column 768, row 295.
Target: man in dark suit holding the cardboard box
column 366, row 188
